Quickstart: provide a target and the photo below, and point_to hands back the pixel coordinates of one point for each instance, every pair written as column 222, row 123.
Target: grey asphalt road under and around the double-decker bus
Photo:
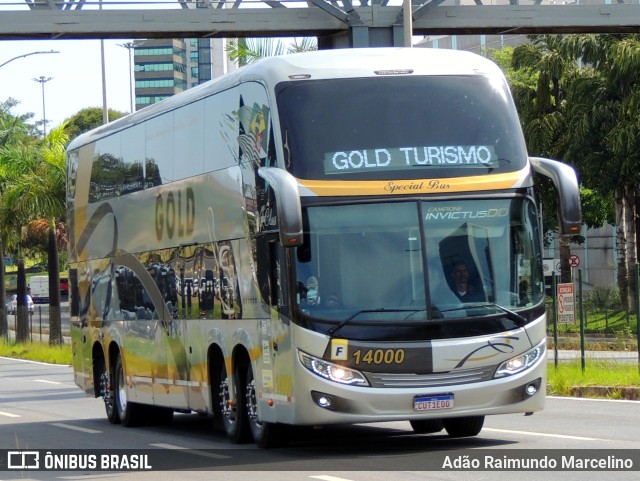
column 41, row 408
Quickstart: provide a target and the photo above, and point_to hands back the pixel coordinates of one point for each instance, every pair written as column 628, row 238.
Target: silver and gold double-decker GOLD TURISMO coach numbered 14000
column 323, row 238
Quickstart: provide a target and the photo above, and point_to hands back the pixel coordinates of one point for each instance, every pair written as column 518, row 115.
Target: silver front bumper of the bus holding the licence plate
column 318, row 401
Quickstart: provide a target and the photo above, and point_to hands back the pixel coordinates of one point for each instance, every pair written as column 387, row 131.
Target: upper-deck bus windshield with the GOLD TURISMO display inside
column 399, row 127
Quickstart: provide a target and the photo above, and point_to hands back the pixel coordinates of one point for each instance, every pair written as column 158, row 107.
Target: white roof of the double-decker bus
column 322, row 64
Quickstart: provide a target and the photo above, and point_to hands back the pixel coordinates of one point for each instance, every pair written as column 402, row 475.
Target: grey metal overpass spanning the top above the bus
column 336, row 23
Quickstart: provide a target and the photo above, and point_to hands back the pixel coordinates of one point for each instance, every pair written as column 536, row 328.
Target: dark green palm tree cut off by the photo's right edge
column 605, row 106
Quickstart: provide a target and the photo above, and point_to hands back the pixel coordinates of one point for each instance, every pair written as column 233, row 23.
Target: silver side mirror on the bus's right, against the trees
column 566, row 182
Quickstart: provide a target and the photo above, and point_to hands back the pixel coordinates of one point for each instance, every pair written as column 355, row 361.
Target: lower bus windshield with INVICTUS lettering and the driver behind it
column 419, row 262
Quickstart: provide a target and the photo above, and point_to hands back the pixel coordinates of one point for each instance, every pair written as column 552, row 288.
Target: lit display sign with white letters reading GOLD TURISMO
column 405, row 158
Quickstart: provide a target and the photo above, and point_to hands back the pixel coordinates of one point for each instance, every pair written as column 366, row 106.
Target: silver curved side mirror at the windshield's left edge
column 285, row 187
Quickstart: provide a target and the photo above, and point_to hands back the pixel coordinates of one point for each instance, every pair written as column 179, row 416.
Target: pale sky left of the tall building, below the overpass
column 76, row 77
